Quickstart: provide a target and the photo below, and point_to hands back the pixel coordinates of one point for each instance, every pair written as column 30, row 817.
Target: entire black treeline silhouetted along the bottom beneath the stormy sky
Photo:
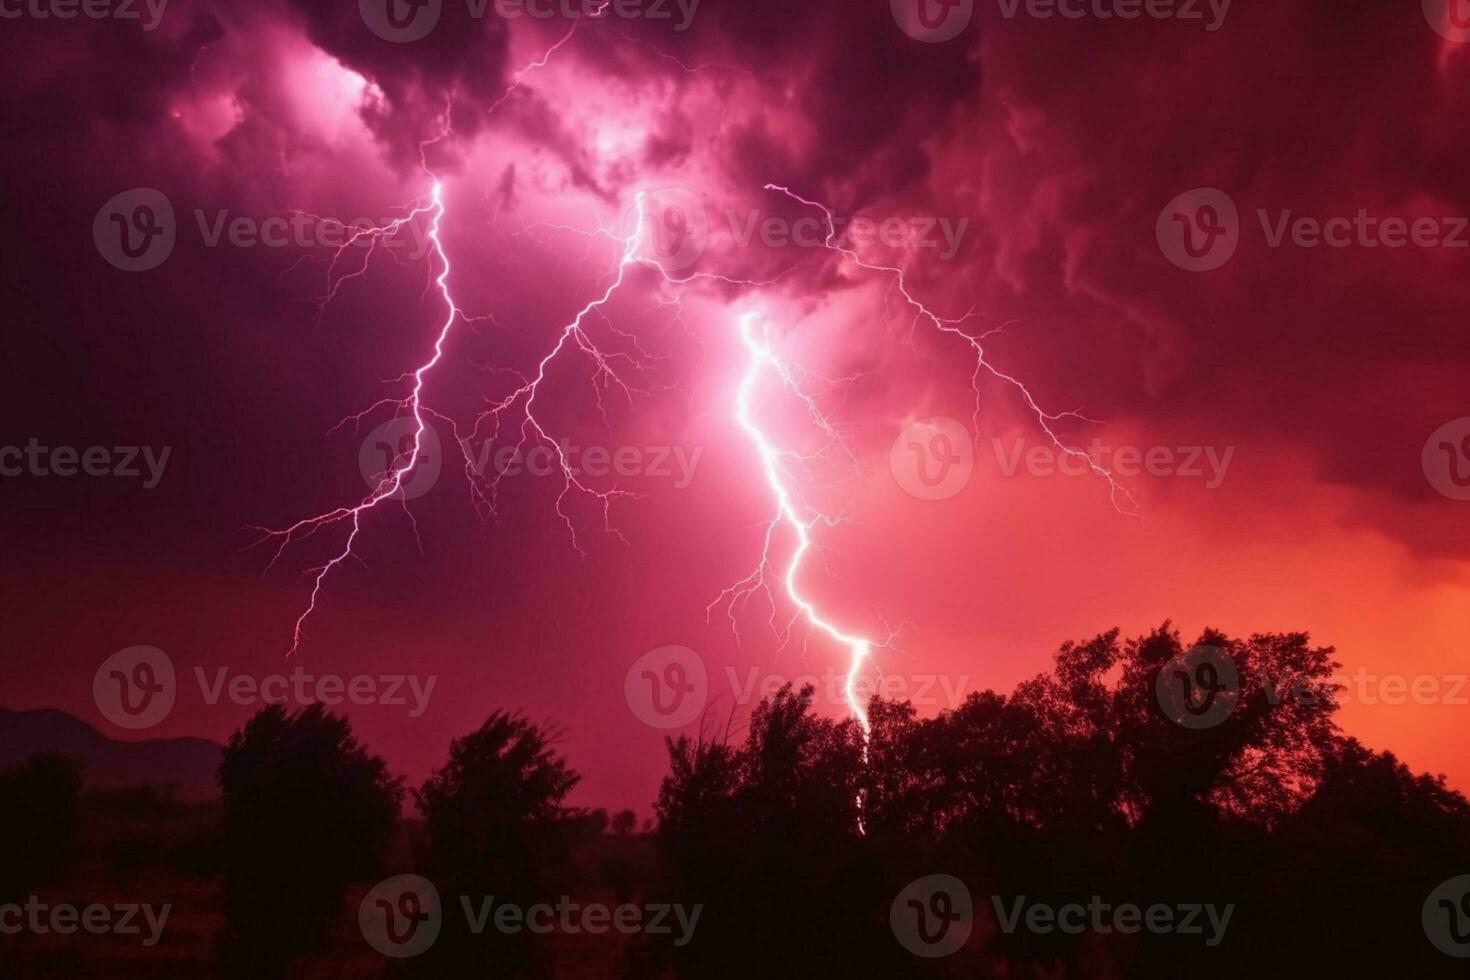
column 795, row 837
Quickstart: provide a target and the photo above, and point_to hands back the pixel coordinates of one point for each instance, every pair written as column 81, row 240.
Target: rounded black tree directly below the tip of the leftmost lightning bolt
column 308, row 810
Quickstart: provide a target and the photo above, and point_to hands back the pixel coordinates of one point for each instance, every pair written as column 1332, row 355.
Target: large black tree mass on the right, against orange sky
column 1086, row 782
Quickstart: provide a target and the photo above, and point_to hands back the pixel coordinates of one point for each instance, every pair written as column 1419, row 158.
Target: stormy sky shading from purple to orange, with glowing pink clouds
column 1324, row 371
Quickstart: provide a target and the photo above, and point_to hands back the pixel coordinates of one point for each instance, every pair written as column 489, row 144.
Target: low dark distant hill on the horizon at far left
column 187, row 765
